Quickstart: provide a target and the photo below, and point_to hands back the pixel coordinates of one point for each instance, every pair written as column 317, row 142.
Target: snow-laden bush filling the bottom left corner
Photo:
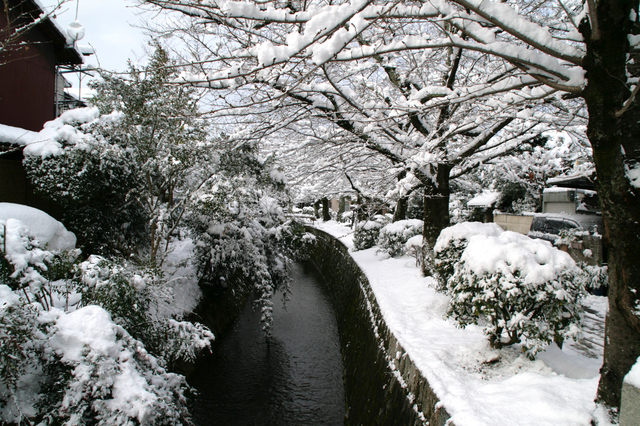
column 79, row 368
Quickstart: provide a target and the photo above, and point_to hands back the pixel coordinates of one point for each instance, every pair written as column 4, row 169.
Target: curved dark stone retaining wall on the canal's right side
column 382, row 384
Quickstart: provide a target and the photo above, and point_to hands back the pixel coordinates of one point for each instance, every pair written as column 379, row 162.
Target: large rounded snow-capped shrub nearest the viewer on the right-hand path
column 522, row 290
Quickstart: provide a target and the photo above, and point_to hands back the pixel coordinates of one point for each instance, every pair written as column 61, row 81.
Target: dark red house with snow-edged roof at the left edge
column 29, row 93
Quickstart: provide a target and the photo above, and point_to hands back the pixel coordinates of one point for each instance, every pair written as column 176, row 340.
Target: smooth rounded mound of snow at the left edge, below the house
column 47, row 230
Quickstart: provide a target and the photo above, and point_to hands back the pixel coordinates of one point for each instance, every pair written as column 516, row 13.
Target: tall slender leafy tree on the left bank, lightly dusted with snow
column 160, row 125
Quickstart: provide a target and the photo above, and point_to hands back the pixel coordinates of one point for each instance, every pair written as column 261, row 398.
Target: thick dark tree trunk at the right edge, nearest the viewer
column 616, row 145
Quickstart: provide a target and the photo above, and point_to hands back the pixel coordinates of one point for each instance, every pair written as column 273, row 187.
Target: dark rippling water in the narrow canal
column 293, row 379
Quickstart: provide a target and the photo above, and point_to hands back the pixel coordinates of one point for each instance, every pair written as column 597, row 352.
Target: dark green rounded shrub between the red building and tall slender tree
column 97, row 191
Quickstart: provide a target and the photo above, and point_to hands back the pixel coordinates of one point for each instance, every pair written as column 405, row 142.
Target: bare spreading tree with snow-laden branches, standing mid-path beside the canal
column 433, row 115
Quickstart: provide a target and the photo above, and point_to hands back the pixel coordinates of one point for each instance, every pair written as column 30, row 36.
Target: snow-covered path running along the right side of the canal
column 477, row 384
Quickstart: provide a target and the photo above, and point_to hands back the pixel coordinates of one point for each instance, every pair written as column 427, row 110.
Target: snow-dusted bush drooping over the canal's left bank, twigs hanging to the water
column 243, row 239
